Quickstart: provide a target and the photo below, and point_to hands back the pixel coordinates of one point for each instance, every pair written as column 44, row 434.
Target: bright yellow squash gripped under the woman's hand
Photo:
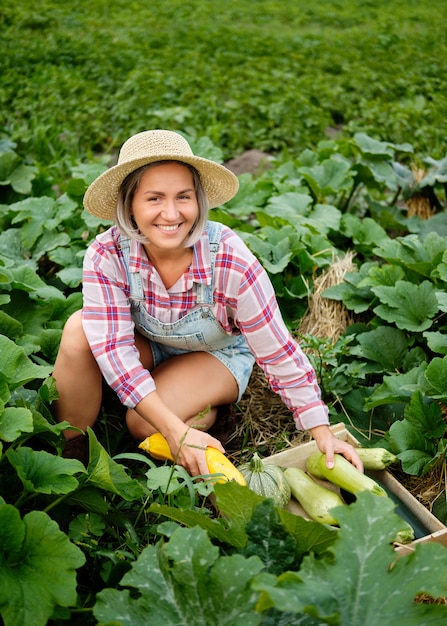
column 157, row 446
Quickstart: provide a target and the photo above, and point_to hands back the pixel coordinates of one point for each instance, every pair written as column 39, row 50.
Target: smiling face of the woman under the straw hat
column 165, row 206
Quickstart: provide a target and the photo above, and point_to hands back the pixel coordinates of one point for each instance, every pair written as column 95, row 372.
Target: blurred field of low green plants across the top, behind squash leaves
column 78, row 78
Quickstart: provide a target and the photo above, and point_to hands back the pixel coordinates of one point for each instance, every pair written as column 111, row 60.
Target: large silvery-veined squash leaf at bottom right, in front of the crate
column 363, row 583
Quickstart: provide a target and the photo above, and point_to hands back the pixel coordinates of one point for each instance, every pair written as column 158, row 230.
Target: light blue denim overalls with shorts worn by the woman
column 198, row 330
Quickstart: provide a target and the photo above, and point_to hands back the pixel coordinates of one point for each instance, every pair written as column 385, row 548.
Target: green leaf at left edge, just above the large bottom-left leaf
column 42, row 472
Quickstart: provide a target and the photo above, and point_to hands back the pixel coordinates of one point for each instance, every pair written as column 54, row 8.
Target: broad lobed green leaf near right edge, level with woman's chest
column 409, row 306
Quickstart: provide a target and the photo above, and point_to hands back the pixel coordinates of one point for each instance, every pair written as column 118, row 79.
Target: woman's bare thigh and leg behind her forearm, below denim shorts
column 188, row 384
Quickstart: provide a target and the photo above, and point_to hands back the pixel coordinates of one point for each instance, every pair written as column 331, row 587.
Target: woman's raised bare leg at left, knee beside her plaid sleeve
column 78, row 379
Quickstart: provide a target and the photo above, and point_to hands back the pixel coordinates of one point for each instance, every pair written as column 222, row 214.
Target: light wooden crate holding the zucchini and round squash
column 426, row 526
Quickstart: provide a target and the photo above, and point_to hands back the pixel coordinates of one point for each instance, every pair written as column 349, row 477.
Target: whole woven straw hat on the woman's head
column 219, row 183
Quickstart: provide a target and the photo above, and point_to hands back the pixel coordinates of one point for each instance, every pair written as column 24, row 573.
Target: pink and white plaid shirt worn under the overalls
column 244, row 302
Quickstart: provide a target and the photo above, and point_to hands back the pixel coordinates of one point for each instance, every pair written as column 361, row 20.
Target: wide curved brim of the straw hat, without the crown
column 219, row 183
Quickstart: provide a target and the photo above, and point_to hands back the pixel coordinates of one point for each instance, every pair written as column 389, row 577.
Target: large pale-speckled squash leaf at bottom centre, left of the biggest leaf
column 184, row 582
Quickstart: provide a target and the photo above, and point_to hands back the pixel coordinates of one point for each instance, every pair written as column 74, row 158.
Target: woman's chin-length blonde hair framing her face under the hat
column 123, row 216
